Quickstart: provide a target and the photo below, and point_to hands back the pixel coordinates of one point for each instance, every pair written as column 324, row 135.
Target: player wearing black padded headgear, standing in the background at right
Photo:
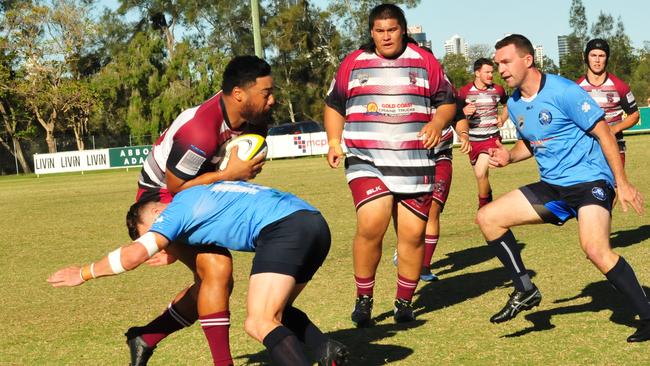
column 611, row 93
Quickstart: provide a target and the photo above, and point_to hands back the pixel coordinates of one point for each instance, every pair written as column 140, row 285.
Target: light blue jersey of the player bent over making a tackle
column 227, row 214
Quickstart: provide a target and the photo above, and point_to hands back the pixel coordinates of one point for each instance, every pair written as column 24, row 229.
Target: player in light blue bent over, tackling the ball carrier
column 290, row 239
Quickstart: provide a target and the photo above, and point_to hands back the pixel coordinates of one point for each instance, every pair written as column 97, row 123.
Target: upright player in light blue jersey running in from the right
column 579, row 166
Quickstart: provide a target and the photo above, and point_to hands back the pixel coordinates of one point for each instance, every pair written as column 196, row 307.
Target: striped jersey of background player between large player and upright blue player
column 483, row 123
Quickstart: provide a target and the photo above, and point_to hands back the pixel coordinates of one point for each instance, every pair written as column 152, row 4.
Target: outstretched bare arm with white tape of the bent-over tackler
column 122, row 259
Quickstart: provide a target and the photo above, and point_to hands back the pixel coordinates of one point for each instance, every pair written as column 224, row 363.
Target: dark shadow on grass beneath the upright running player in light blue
column 603, row 298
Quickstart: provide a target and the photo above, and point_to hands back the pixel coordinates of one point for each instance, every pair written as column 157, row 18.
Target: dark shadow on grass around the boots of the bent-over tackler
column 360, row 343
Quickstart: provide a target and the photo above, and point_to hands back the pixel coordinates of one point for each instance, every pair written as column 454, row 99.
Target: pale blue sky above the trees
column 487, row 21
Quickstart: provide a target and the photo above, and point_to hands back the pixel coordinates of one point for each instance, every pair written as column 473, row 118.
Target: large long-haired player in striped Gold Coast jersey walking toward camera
column 381, row 103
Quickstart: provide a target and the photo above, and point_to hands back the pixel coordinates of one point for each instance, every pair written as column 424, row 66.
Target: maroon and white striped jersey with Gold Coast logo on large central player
column 386, row 102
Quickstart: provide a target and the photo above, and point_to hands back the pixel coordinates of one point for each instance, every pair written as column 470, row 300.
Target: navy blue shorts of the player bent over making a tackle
column 296, row 245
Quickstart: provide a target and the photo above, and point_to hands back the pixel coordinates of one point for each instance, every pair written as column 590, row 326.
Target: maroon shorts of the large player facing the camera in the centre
column 366, row 189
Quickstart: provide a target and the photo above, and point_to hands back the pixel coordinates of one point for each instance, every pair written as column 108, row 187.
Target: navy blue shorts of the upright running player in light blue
column 557, row 204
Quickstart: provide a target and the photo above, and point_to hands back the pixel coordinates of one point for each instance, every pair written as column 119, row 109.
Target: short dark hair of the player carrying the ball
column 243, row 71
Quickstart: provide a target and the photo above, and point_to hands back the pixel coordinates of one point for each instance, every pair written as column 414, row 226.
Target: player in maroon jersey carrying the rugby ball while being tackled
column 186, row 155
